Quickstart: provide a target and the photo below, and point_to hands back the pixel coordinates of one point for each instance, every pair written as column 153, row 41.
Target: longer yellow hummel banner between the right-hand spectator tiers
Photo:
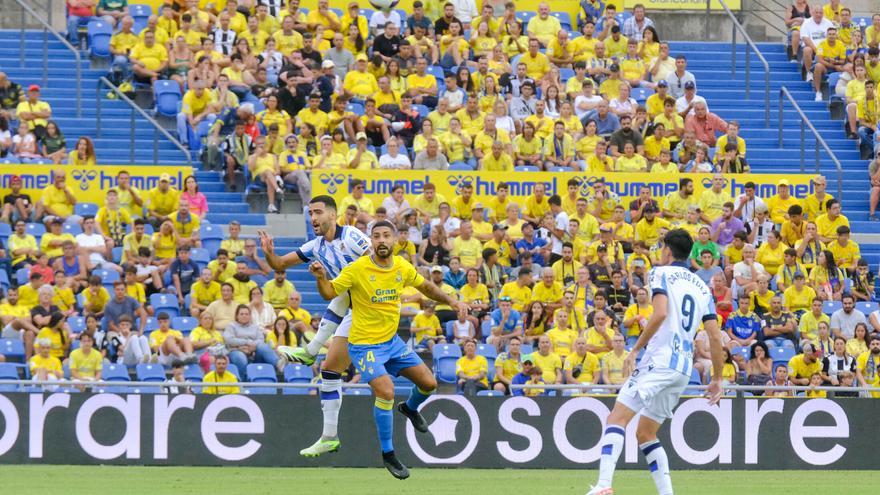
column 378, row 183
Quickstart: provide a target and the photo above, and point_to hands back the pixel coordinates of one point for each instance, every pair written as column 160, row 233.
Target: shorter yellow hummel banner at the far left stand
column 90, row 184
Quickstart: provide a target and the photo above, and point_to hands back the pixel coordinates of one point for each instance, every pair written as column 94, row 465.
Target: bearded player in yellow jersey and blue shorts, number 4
column 375, row 284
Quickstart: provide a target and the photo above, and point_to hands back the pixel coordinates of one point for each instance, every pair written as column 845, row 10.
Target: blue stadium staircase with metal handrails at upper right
column 710, row 63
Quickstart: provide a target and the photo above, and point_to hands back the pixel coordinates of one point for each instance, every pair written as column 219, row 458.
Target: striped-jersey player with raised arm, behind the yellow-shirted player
column 335, row 248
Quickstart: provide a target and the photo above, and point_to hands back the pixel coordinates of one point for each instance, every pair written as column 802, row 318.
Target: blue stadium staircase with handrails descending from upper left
column 113, row 146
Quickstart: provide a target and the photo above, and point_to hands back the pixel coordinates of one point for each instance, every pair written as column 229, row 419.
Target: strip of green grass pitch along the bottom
column 131, row 480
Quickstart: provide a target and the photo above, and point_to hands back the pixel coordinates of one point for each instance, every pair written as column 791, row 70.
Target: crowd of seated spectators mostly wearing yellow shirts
column 564, row 275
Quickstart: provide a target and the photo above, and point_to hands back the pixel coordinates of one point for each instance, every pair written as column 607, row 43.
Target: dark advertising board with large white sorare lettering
column 479, row 432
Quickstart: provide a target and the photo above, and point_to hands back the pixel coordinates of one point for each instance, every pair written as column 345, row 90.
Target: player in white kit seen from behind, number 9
column 681, row 301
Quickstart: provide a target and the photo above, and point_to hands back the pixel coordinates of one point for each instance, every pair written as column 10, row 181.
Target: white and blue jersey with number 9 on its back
column 689, row 302
